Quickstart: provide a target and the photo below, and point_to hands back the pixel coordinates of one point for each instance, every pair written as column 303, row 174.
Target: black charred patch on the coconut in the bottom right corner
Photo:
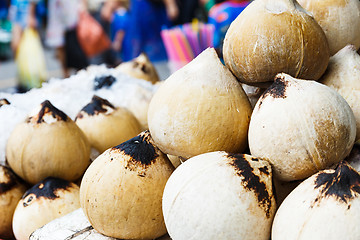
column 342, row 184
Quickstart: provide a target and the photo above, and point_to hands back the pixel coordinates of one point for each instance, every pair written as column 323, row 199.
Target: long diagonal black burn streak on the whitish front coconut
column 251, row 181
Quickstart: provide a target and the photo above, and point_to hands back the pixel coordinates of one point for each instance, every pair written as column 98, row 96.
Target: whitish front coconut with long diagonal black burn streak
column 219, row 195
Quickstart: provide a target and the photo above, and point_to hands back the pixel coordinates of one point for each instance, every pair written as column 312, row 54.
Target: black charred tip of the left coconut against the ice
column 47, row 110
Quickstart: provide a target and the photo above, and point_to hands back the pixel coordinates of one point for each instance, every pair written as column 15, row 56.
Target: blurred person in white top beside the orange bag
column 63, row 16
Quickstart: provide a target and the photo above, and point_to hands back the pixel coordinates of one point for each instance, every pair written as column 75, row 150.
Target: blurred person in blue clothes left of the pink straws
column 136, row 29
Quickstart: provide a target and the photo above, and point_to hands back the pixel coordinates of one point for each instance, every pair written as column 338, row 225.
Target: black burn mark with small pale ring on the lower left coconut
column 47, row 189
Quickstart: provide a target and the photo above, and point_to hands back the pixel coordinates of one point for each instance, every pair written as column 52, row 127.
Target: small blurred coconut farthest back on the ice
column 140, row 67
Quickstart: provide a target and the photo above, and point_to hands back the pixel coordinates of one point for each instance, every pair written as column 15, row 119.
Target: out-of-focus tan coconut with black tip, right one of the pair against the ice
column 106, row 126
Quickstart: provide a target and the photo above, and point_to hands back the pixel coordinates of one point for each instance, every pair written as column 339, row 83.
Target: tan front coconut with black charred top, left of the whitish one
column 121, row 191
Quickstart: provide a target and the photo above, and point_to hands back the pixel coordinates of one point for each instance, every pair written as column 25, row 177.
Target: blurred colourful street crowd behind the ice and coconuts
column 42, row 39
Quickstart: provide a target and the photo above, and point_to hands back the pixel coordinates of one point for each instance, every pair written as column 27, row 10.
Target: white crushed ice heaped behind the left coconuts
column 72, row 94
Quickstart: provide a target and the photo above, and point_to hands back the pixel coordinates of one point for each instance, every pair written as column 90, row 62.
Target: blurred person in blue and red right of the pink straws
column 221, row 15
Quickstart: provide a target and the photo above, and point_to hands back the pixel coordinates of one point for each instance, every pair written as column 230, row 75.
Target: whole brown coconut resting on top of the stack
column 271, row 37
